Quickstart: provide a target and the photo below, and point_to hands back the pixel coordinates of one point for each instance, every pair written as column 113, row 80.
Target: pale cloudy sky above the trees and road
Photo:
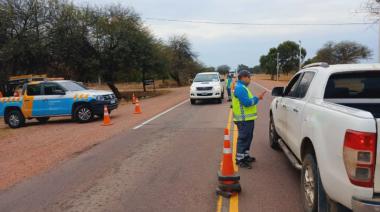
column 237, row 44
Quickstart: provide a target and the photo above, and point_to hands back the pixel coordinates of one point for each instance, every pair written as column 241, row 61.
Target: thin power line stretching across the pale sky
column 260, row 24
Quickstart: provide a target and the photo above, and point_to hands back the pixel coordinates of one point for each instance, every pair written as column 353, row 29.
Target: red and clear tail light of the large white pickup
column 359, row 154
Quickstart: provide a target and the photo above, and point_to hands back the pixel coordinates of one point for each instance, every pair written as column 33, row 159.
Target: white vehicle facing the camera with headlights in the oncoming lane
column 207, row 85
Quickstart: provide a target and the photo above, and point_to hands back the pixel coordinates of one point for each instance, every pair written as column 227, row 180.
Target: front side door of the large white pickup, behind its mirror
column 280, row 116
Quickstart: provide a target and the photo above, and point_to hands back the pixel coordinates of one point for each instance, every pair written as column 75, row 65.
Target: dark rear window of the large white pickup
column 354, row 85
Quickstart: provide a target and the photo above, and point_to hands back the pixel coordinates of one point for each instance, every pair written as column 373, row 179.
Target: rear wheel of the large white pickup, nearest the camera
column 313, row 195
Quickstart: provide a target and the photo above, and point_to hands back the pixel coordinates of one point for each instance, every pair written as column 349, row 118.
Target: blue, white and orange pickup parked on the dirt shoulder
column 45, row 99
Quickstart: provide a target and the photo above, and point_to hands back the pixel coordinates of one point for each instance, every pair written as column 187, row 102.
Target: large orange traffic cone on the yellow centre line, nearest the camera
column 228, row 180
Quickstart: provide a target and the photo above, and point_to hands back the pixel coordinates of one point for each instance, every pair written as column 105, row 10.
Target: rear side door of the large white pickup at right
column 295, row 103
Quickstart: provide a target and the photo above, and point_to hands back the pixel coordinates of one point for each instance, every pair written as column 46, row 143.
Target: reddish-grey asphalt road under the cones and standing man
column 168, row 164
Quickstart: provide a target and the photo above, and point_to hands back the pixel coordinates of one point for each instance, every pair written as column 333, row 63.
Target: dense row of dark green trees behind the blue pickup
column 87, row 44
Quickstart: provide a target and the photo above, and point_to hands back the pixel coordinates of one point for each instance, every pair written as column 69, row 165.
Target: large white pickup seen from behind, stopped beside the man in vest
column 326, row 120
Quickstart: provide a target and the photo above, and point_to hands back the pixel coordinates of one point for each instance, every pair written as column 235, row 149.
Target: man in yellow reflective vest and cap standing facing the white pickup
column 244, row 106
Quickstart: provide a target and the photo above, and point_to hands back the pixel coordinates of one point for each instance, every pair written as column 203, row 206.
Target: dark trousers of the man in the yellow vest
column 245, row 129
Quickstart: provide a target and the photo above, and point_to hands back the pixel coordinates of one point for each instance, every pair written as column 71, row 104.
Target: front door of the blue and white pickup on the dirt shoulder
column 55, row 99
